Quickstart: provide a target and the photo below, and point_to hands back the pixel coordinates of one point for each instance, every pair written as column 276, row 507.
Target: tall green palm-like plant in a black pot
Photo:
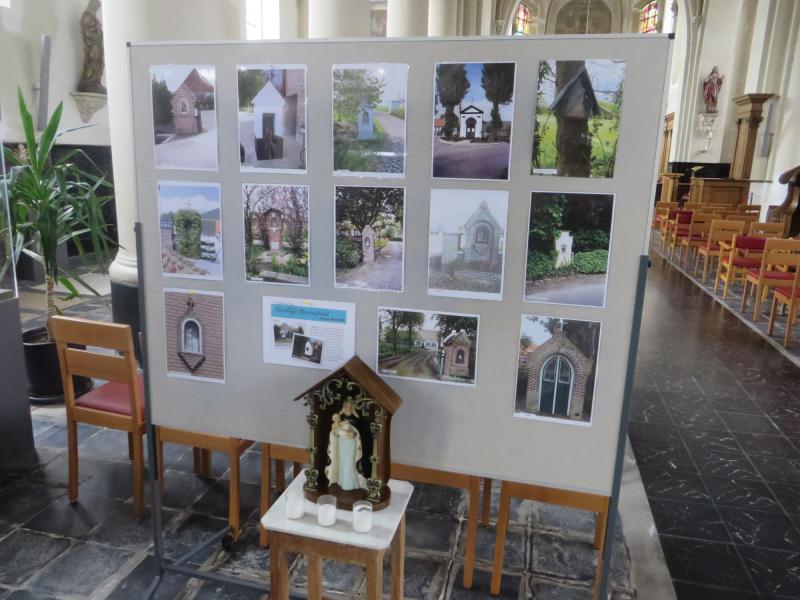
column 52, row 201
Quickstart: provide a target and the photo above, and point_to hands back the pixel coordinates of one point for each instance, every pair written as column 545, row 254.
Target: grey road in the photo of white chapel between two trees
column 471, row 161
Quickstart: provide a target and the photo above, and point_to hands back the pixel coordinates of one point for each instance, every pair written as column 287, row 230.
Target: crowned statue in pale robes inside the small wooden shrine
column 344, row 451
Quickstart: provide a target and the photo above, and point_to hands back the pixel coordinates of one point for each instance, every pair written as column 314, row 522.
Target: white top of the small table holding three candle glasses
column 384, row 522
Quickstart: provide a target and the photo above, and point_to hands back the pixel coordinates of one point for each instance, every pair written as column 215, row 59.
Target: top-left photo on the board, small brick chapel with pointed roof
column 184, row 117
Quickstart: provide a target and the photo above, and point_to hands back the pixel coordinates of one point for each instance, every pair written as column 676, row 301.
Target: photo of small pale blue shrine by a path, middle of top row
column 369, row 118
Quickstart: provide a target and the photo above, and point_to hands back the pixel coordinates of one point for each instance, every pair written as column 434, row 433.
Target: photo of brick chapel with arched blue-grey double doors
column 556, row 368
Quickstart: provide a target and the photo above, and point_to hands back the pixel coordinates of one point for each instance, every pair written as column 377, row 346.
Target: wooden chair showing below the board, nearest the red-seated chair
column 204, row 444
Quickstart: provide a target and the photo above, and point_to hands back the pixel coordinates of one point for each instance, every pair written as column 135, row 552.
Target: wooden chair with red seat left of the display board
column 117, row 404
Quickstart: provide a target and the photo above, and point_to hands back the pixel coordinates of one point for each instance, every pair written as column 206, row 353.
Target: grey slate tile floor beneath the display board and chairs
column 96, row 549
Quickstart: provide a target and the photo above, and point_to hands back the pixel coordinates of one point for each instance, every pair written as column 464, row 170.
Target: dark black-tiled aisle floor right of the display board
column 715, row 428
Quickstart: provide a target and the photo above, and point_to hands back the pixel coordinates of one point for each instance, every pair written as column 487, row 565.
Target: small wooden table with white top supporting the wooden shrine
column 338, row 542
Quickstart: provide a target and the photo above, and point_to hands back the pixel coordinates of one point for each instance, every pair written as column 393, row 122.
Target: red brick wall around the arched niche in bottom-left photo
column 208, row 311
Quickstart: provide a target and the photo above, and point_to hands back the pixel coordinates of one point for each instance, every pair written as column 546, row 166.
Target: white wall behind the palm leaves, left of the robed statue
column 21, row 29
